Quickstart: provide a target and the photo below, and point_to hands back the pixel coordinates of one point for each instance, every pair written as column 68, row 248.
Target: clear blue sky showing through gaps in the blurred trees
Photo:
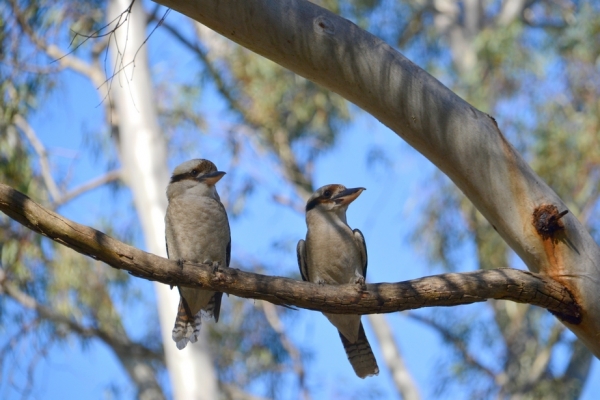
column 385, row 213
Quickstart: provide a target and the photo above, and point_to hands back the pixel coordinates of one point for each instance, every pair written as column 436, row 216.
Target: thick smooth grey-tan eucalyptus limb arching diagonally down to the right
column 462, row 141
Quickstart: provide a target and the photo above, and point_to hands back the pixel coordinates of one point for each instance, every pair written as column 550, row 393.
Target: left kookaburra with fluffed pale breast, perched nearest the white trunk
column 197, row 230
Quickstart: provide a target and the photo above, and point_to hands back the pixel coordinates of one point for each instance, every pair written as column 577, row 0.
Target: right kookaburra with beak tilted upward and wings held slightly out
column 333, row 253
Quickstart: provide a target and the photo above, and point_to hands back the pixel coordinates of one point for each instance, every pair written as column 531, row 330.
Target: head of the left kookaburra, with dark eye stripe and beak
column 198, row 175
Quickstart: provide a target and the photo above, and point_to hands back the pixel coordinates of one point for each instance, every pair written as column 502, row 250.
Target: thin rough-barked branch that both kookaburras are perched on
column 439, row 290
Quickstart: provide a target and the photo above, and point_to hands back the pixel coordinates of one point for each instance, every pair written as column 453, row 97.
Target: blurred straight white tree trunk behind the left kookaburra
column 143, row 154
